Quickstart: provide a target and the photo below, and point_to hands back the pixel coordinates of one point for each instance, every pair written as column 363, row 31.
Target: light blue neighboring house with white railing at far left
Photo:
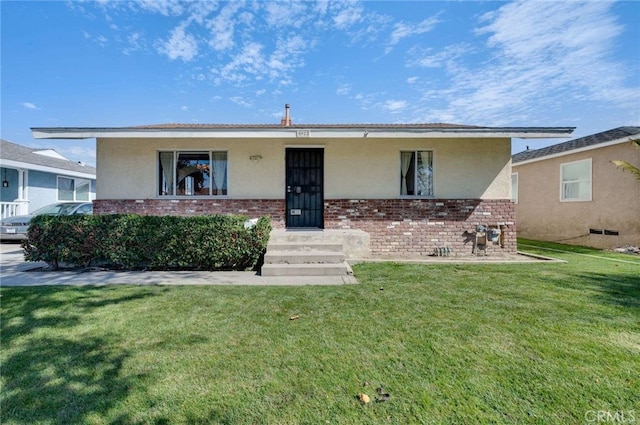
column 33, row 178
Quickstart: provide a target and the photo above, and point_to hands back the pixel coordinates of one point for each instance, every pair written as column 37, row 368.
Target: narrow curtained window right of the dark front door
column 416, row 173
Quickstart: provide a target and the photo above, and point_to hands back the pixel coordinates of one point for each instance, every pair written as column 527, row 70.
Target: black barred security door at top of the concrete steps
column 305, row 187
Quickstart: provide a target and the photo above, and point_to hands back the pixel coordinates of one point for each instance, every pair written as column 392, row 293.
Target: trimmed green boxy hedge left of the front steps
column 136, row 242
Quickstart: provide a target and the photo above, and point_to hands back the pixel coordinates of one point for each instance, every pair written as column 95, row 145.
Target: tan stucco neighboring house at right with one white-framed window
column 572, row 192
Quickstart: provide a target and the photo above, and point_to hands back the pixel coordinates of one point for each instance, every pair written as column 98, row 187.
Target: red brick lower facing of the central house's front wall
column 396, row 226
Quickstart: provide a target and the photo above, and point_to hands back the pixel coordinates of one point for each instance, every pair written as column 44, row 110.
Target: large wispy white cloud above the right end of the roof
column 542, row 56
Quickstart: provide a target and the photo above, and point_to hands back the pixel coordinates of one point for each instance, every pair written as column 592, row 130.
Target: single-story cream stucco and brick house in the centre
column 413, row 188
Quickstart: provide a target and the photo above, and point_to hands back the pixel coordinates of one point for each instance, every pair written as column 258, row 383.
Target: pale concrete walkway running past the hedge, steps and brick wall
column 14, row 271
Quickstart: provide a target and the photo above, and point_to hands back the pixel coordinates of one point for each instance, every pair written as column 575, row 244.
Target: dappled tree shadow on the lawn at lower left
column 50, row 376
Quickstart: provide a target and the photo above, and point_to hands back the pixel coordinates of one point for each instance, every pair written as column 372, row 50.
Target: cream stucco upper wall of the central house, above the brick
column 367, row 168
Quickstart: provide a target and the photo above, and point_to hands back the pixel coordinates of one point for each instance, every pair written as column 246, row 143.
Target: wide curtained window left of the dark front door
column 192, row 173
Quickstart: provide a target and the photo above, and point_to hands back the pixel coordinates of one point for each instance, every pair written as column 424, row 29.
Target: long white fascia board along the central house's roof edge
column 298, row 132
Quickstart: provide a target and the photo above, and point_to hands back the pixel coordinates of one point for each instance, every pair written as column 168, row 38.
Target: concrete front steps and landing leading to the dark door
column 312, row 253
